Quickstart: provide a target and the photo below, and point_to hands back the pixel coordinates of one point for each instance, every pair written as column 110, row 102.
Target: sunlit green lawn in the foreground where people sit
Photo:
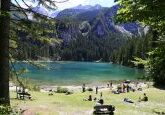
column 58, row 104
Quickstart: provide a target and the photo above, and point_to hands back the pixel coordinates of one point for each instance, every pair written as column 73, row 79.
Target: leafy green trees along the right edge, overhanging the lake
column 151, row 13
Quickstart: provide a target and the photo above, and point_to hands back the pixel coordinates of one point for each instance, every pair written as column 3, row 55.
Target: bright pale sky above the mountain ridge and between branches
column 73, row 3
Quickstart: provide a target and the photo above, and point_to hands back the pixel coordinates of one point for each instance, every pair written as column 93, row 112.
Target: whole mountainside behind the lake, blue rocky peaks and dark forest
column 89, row 33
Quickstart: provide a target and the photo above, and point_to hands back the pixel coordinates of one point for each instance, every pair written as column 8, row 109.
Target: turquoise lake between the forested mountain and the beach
column 76, row 73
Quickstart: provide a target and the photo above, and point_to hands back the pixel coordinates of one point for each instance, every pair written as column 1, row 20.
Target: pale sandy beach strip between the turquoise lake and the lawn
column 103, row 86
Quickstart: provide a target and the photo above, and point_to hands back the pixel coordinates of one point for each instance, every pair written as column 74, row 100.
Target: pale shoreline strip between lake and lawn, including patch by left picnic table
column 101, row 85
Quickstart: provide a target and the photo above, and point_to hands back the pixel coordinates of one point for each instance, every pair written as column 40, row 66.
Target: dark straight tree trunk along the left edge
column 4, row 52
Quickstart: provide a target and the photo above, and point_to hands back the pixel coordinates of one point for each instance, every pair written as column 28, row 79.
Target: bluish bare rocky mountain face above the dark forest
column 96, row 20
